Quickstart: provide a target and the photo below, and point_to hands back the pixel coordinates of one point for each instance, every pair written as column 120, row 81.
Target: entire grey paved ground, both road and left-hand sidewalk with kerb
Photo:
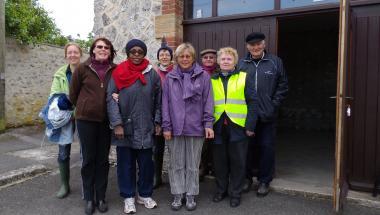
column 21, row 149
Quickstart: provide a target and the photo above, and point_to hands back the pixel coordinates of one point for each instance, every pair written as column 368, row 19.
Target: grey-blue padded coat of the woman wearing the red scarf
column 138, row 110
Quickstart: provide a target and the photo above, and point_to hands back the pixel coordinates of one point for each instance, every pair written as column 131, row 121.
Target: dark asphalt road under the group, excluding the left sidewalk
column 37, row 196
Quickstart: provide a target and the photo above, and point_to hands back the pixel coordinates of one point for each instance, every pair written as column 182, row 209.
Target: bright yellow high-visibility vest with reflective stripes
column 234, row 105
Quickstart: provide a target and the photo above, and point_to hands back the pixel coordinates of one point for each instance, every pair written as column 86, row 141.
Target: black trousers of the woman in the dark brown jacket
column 95, row 138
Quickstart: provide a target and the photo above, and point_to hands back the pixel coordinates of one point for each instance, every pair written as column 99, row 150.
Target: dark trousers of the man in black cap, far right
column 264, row 142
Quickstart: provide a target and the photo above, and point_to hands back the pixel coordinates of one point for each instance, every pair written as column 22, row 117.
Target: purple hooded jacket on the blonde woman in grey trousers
column 187, row 102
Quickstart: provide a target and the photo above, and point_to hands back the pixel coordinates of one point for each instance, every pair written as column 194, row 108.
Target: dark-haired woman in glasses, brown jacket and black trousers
column 88, row 94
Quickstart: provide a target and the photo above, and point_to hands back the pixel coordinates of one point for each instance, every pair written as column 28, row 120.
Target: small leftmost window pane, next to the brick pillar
column 199, row 8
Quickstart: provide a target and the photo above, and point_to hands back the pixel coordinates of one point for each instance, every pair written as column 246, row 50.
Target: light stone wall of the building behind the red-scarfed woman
column 122, row 20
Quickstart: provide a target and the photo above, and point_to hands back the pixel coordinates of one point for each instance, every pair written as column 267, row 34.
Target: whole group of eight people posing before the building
column 209, row 116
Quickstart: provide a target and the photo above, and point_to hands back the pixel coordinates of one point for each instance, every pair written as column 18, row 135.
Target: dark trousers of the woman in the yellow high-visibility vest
column 229, row 165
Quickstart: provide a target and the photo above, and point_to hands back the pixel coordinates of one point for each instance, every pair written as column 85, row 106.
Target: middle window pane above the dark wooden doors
column 229, row 7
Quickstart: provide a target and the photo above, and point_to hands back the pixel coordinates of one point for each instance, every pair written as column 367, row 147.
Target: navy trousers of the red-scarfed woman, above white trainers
column 126, row 171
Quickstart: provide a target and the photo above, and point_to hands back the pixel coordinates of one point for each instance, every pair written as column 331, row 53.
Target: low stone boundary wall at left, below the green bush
column 28, row 76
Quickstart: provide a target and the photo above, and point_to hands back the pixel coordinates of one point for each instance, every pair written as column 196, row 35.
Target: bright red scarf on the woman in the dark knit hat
column 128, row 73
